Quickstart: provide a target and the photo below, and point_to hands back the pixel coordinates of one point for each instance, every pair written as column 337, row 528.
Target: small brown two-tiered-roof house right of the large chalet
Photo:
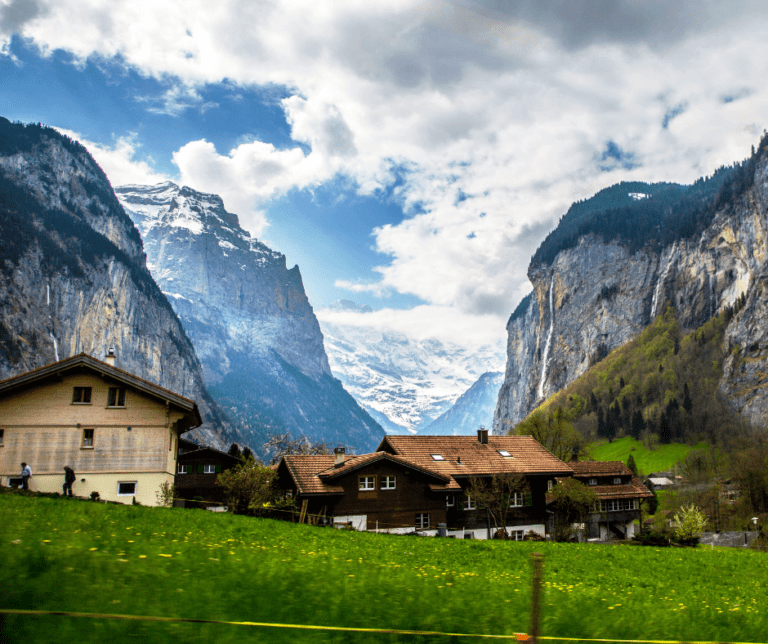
column 620, row 495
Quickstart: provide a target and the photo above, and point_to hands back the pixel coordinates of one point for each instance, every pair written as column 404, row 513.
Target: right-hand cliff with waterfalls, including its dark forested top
column 594, row 291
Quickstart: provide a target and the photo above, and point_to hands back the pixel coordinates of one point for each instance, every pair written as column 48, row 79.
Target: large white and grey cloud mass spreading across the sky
column 496, row 115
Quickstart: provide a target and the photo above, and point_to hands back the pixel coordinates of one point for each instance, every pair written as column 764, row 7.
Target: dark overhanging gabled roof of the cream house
column 83, row 360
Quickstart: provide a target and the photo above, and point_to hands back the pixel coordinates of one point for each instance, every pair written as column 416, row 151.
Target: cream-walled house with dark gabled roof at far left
column 119, row 433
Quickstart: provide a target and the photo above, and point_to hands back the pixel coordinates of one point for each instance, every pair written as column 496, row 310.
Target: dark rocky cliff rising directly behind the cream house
column 73, row 277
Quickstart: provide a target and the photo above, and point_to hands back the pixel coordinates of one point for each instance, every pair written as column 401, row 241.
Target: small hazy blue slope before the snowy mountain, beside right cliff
column 473, row 409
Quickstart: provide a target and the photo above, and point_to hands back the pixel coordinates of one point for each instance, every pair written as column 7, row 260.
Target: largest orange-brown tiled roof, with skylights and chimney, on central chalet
column 466, row 456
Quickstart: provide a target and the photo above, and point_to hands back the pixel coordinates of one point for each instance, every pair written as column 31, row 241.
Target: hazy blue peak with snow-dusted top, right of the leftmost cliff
column 248, row 317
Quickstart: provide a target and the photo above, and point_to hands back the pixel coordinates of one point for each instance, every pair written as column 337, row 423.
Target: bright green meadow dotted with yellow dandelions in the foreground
column 71, row 555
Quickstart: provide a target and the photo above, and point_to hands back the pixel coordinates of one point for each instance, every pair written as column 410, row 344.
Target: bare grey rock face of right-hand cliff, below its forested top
column 596, row 295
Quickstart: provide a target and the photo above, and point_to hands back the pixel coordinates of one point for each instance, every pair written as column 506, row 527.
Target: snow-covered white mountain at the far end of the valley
column 404, row 383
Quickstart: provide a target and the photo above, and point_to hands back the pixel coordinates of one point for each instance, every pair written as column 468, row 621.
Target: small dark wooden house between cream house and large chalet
column 197, row 471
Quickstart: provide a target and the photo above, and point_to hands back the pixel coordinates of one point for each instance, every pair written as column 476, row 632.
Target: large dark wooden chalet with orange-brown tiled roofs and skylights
column 416, row 483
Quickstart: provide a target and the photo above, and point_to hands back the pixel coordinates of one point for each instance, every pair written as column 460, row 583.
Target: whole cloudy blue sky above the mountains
column 408, row 155
